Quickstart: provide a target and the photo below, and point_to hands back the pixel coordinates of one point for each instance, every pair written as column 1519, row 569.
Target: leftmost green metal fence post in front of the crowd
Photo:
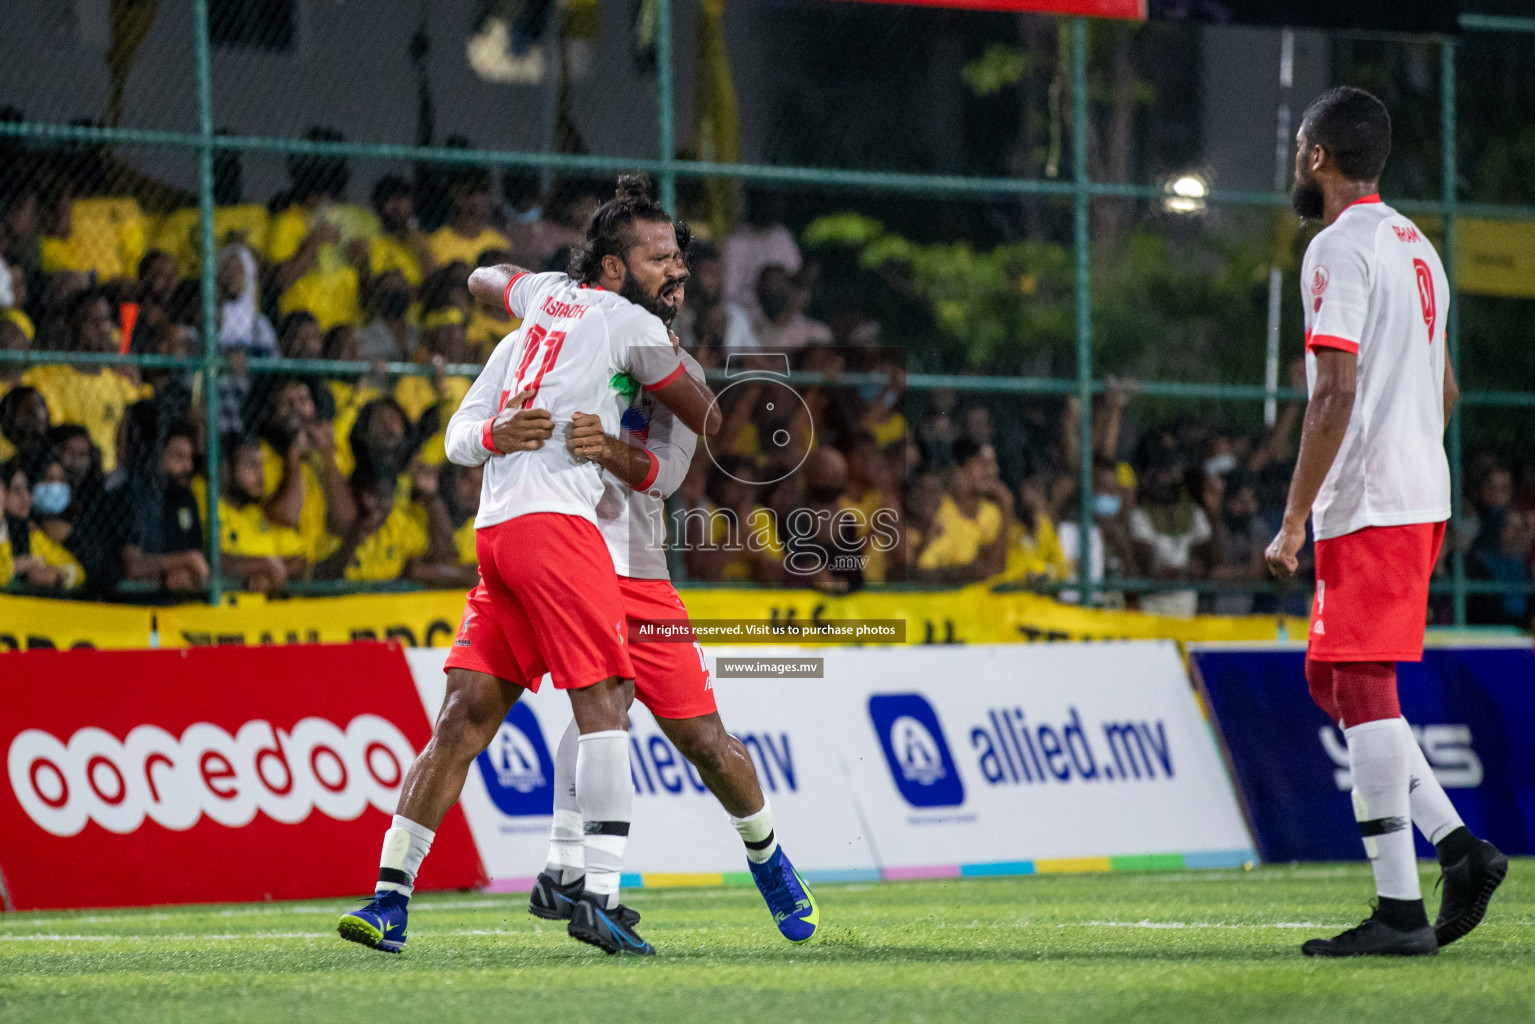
column 205, row 194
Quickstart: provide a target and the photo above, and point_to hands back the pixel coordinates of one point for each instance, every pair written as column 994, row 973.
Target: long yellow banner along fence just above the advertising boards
column 972, row 615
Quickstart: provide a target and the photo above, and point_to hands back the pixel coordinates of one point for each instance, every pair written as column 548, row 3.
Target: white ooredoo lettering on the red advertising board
column 174, row 782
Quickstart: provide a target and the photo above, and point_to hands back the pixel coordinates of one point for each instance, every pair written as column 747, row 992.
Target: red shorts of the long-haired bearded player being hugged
column 547, row 603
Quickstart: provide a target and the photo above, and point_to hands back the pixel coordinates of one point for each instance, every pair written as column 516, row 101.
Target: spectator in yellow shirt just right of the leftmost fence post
column 254, row 549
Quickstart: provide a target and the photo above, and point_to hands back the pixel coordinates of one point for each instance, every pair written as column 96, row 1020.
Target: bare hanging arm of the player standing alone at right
column 1321, row 438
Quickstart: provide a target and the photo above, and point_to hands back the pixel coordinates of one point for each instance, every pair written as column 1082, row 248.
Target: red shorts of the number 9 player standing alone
column 1373, row 593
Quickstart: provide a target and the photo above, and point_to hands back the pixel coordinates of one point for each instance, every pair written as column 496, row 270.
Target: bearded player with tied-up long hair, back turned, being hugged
column 549, row 600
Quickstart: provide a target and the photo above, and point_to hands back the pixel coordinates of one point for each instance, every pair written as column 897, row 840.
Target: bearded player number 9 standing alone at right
column 1375, row 478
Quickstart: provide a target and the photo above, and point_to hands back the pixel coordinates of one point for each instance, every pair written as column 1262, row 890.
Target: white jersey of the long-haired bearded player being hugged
column 579, row 349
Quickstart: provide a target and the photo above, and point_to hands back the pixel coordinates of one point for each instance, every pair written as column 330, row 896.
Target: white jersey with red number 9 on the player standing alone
column 1373, row 285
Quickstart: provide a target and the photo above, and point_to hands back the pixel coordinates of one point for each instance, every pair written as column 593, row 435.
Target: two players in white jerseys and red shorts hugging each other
column 570, row 549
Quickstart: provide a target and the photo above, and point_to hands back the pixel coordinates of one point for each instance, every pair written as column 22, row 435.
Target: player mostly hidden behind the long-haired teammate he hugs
column 642, row 467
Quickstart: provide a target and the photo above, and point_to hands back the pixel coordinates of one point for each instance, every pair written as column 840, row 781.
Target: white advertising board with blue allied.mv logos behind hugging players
column 899, row 764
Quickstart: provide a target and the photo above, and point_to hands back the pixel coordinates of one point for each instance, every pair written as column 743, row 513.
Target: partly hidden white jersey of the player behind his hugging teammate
column 633, row 521
